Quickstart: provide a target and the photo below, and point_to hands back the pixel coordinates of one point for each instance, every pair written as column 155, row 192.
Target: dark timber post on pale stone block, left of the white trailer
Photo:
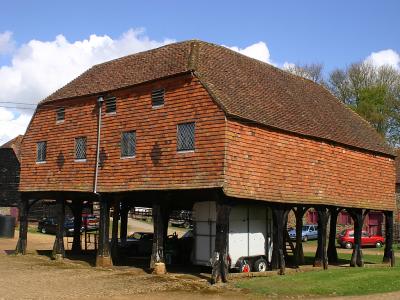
column 160, row 213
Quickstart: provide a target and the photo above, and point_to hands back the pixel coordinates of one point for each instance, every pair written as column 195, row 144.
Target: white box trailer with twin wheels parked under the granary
column 250, row 235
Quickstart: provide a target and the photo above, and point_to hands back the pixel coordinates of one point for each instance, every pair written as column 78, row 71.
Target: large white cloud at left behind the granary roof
column 38, row 68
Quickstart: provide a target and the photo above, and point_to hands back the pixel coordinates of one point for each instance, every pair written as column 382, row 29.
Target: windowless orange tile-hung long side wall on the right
column 273, row 166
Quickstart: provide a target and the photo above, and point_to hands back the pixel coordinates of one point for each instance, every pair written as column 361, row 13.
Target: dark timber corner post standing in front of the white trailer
column 220, row 268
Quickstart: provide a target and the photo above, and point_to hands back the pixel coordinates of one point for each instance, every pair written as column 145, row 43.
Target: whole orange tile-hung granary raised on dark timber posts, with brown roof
column 191, row 122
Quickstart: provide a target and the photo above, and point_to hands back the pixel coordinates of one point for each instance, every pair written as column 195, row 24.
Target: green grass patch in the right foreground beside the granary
column 333, row 282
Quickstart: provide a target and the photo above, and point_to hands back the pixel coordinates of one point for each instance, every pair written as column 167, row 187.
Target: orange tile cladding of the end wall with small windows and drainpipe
column 157, row 165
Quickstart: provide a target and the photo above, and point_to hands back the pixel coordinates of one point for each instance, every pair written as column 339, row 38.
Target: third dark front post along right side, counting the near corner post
column 320, row 255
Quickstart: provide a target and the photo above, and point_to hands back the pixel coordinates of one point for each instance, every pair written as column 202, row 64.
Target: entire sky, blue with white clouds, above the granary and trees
column 45, row 44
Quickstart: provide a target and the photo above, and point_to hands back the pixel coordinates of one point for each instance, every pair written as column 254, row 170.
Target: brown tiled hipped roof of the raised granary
column 243, row 87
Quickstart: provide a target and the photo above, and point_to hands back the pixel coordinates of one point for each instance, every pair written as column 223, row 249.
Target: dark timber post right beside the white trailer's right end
column 278, row 257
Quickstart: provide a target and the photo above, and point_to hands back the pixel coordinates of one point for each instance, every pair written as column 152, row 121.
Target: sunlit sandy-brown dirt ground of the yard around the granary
column 36, row 276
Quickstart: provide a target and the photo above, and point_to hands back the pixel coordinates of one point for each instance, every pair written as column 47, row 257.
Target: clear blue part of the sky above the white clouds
column 335, row 33
